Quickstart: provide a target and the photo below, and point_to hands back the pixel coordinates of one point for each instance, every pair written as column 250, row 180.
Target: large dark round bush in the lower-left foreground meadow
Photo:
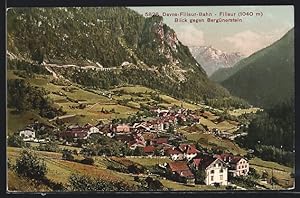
column 29, row 165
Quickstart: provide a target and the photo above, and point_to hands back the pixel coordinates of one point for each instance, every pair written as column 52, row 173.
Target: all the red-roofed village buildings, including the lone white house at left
column 154, row 137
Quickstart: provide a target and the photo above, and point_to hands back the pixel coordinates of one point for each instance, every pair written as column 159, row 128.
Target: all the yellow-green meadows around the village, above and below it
column 121, row 102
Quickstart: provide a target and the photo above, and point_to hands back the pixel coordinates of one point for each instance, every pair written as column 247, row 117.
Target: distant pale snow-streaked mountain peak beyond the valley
column 212, row 59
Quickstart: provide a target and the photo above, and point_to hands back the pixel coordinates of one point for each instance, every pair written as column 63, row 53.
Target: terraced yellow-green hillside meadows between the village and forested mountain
column 99, row 104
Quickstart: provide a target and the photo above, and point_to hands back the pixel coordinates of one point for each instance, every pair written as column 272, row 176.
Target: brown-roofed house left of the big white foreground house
column 179, row 171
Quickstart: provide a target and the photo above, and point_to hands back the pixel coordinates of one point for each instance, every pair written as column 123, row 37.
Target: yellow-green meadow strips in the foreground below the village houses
column 59, row 170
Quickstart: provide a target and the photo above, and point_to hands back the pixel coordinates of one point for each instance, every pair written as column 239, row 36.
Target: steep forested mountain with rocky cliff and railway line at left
column 104, row 47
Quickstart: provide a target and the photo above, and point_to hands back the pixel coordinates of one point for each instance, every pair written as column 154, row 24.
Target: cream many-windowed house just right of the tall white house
column 238, row 166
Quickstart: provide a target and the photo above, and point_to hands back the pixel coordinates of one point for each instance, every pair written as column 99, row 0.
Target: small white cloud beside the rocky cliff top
column 191, row 36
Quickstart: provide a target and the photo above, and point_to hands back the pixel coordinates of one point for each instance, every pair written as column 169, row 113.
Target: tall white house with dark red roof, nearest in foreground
column 216, row 170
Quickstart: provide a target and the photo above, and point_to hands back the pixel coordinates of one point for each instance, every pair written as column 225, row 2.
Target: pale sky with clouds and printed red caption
column 246, row 37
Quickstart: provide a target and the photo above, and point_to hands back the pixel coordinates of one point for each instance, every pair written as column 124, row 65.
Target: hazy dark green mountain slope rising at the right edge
column 267, row 77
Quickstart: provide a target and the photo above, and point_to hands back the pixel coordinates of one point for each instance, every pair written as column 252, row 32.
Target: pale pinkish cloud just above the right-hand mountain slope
column 248, row 42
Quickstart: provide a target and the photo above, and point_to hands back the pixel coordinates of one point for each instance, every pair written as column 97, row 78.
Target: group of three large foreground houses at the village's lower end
column 218, row 169
